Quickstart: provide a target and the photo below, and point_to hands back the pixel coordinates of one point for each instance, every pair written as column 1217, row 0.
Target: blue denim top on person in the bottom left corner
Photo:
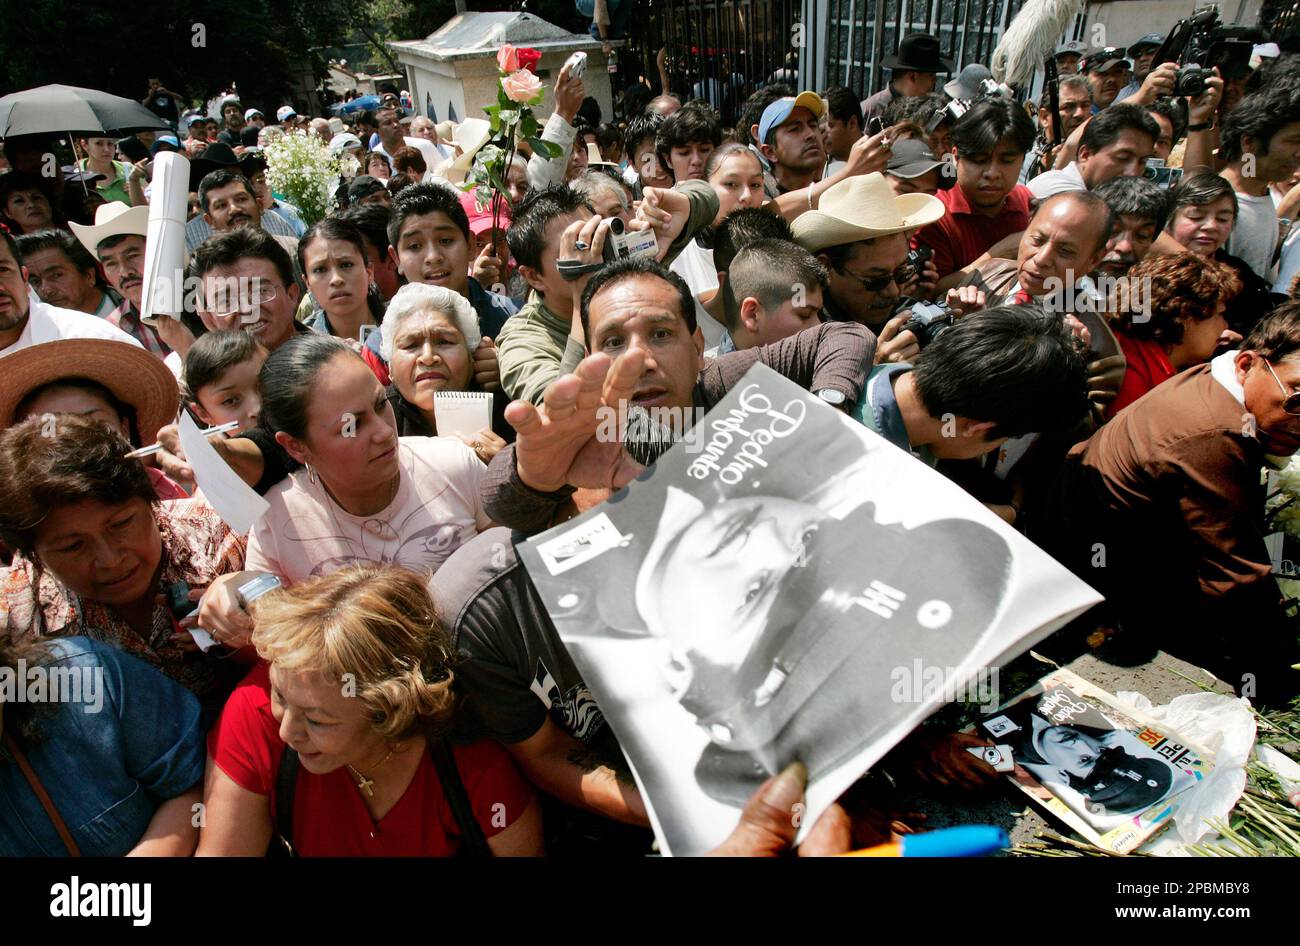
column 109, row 760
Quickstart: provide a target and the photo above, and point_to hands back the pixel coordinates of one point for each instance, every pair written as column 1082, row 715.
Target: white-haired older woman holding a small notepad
column 428, row 339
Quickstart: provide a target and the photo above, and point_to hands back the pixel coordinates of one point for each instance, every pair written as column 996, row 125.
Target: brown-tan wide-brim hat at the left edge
column 135, row 376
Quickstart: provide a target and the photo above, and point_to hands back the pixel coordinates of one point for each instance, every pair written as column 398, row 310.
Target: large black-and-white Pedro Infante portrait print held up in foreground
column 785, row 585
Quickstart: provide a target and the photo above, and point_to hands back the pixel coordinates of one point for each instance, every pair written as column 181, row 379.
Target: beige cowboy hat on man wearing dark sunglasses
column 861, row 209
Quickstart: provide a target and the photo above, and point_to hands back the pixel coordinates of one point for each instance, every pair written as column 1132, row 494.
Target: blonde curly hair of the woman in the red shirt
column 374, row 628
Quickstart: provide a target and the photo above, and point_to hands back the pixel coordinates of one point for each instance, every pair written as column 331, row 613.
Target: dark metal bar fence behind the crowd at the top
column 723, row 50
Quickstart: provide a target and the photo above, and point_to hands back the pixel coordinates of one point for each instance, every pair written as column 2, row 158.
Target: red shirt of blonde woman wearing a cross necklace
column 330, row 817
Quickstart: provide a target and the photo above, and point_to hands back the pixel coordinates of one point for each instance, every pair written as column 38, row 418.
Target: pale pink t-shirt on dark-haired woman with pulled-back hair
column 437, row 509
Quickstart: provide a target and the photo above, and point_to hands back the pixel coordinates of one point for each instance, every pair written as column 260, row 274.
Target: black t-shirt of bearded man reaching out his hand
column 514, row 670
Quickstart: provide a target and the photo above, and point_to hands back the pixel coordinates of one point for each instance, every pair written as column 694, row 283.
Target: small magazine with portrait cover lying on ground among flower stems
column 1107, row 770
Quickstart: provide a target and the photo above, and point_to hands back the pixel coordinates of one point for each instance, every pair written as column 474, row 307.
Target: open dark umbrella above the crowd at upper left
column 68, row 110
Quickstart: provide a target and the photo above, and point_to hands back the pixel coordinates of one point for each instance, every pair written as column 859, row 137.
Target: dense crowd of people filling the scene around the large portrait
column 1113, row 362
